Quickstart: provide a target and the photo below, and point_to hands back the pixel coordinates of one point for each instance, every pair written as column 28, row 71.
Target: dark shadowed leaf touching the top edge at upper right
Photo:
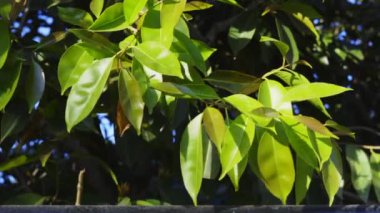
column 296, row 6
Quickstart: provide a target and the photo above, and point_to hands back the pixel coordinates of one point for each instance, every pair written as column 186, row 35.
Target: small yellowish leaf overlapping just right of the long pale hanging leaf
column 214, row 125
